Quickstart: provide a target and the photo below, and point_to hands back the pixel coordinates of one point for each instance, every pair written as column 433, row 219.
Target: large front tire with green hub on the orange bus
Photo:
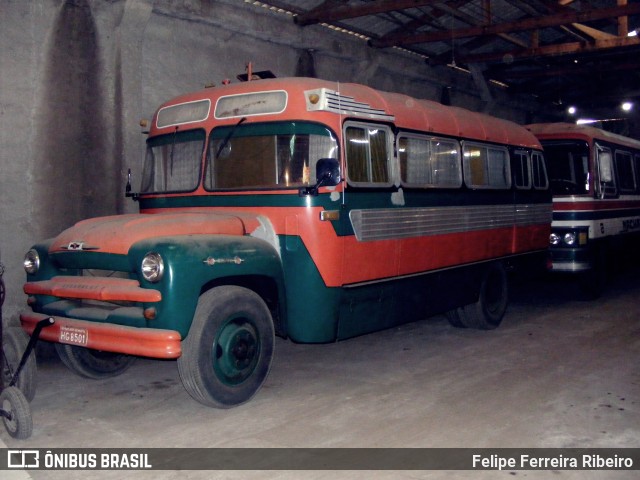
column 227, row 354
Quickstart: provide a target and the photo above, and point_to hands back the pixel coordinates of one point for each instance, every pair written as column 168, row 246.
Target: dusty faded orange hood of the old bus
column 116, row 234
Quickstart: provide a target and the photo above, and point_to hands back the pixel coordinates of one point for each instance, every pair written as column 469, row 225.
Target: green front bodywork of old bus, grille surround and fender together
column 235, row 259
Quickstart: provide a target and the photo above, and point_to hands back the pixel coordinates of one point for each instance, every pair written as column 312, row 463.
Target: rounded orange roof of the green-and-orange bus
column 404, row 111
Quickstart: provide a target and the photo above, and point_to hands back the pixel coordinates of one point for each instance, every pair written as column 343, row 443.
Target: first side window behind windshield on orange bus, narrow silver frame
column 367, row 153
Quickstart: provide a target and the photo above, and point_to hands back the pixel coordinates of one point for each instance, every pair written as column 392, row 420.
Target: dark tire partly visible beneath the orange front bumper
column 94, row 364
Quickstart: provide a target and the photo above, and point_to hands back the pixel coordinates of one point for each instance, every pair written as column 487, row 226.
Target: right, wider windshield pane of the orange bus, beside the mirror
column 266, row 155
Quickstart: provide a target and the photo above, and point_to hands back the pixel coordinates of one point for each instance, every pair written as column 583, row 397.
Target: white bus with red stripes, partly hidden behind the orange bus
column 595, row 180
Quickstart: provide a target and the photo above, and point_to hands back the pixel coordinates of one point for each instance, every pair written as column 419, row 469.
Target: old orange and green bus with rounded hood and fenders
column 307, row 209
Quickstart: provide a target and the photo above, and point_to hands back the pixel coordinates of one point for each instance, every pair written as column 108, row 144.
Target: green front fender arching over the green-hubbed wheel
column 194, row 264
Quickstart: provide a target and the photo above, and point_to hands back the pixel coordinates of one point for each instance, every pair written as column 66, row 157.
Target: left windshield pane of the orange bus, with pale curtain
column 172, row 162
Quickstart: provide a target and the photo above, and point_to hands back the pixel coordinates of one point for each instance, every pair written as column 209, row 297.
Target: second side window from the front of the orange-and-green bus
column 429, row 162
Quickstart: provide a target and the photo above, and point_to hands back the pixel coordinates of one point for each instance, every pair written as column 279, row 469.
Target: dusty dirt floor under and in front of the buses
column 559, row 372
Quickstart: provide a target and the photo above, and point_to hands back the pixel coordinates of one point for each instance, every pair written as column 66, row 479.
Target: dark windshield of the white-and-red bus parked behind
column 568, row 165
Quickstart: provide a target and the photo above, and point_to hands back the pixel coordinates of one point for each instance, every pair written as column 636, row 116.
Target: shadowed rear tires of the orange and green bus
column 487, row 312
